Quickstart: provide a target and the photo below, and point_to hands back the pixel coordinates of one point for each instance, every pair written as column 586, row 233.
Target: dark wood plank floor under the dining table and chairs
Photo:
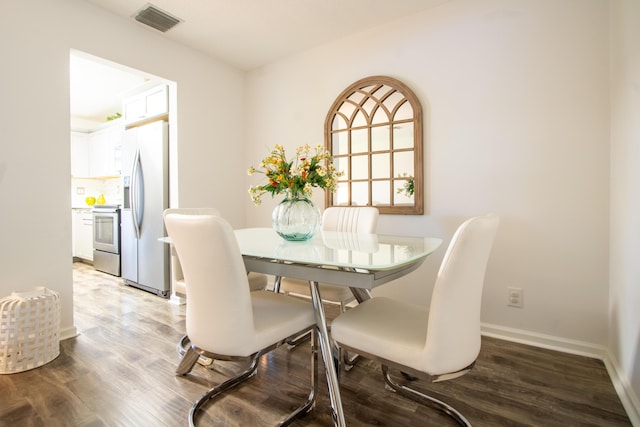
column 120, row 372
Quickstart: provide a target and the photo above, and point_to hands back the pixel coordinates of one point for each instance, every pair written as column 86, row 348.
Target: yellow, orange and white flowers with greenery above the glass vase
column 295, row 177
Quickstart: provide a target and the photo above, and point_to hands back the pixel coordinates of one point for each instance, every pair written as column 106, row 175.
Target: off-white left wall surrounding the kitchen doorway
column 35, row 216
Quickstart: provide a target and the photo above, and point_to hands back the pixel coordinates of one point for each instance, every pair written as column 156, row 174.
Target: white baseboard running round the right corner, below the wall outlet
column 627, row 396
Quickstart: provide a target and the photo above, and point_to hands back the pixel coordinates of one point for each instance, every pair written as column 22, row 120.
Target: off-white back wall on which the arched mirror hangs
column 515, row 95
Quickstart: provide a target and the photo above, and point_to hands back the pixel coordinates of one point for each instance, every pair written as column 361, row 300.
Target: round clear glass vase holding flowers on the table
column 296, row 218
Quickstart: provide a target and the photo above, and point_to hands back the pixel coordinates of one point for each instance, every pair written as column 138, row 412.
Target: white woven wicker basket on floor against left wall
column 29, row 330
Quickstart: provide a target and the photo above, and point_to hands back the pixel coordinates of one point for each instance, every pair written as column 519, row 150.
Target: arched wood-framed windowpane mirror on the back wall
column 374, row 132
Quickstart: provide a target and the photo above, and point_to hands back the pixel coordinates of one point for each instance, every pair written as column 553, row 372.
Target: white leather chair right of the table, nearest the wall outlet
column 437, row 343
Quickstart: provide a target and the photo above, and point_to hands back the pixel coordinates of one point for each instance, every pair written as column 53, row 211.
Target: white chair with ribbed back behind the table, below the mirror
column 352, row 219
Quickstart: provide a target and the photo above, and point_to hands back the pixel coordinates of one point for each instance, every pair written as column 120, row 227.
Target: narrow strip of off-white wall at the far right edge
column 624, row 303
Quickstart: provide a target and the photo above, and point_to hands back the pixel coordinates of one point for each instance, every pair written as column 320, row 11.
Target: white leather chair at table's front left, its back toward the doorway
column 224, row 319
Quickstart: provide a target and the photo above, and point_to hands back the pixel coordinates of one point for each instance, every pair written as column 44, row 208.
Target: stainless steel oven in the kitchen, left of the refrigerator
column 106, row 239
